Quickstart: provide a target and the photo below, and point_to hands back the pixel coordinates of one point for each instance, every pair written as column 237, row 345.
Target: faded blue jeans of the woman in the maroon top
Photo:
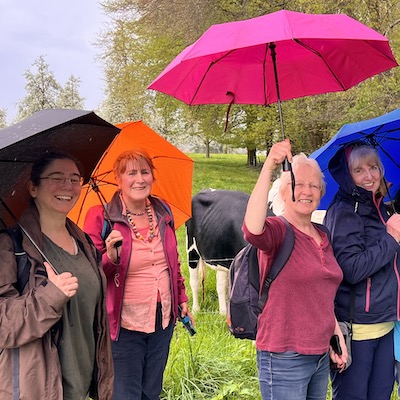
column 292, row 376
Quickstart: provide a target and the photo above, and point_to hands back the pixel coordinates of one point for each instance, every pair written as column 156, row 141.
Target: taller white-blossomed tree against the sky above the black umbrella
column 42, row 90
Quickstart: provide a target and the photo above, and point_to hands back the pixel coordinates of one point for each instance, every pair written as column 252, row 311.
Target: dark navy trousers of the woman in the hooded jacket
column 371, row 374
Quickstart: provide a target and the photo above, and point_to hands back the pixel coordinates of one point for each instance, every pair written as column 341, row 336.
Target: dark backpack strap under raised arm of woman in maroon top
column 280, row 260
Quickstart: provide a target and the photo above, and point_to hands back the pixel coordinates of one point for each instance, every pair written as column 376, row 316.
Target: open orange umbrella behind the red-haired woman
column 173, row 172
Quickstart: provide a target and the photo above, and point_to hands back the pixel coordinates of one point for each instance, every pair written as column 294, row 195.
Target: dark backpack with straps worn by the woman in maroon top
column 245, row 299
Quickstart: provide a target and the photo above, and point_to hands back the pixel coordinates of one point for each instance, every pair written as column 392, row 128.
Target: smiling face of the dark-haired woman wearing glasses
column 53, row 194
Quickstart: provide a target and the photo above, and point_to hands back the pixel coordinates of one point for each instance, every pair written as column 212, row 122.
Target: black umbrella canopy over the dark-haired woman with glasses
column 80, row 133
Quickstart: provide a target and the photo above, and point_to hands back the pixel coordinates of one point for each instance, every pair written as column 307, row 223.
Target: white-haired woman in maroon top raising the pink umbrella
column 298, row 320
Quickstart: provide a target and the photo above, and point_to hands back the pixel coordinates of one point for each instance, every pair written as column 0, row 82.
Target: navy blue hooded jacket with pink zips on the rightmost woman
column 364, row 250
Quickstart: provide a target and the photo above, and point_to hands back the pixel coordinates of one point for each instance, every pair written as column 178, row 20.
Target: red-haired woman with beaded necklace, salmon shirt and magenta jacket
column 144, row 281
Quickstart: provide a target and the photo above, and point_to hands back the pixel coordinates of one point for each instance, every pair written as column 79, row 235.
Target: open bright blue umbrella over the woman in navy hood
column 382, row 132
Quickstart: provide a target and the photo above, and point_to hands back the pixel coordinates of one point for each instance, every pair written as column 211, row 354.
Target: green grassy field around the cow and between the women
column 212, row 364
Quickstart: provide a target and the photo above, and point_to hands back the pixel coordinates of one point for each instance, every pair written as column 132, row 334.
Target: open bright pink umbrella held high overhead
column 238, row 62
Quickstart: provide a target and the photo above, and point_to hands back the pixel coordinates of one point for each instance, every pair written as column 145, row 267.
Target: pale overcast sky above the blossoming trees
column 63, row 31
